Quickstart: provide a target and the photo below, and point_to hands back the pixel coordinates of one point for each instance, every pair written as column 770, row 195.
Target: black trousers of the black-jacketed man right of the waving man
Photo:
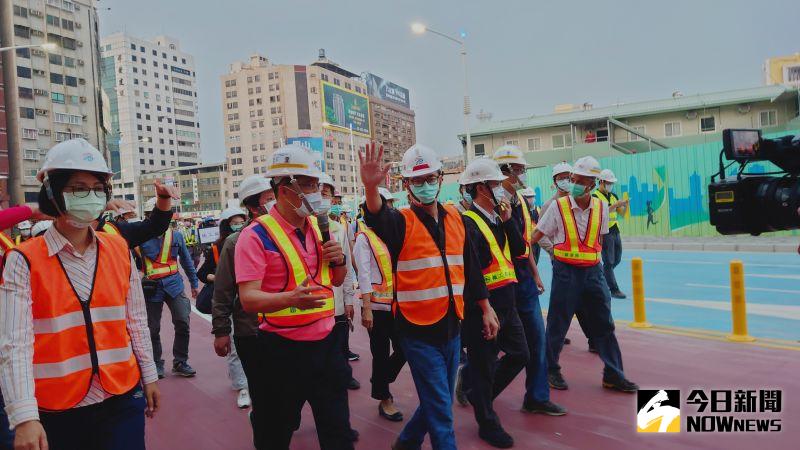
column 486, row 376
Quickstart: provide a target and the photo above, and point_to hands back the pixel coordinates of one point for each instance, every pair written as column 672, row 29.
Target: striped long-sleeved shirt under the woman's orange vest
column 16, row 325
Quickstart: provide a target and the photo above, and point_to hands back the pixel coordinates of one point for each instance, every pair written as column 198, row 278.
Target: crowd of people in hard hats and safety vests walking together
column 451, row 290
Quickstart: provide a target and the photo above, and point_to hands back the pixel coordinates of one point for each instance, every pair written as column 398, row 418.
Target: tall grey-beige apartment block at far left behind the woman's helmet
column 49, row 96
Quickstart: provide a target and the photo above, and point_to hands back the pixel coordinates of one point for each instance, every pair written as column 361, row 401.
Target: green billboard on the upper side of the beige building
column 343, row 108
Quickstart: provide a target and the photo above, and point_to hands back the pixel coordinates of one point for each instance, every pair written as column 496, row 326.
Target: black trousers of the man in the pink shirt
column 296, row 372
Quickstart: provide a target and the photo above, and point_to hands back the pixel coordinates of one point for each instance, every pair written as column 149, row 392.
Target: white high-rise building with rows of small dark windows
column 151, row 90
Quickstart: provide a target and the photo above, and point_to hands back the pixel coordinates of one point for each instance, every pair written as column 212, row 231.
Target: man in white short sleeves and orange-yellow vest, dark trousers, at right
column 576, row 225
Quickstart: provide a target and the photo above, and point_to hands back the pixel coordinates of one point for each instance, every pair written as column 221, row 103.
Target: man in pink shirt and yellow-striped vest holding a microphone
column 287, row 266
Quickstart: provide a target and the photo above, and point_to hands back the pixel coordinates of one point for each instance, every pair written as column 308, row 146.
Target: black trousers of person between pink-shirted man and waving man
column 387, row 356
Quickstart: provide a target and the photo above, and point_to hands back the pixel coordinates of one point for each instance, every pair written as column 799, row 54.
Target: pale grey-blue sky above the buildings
column 523, row 57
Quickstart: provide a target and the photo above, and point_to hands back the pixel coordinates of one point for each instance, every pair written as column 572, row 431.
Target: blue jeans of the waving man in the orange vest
column 433, row 368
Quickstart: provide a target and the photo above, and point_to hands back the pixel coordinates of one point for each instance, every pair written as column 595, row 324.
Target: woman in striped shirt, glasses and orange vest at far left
column 76, row 349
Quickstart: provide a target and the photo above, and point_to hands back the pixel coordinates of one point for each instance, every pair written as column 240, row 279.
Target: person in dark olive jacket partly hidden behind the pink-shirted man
column 257, row 196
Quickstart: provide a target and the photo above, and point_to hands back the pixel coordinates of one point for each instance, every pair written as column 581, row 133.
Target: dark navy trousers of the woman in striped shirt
column 117, row 423
